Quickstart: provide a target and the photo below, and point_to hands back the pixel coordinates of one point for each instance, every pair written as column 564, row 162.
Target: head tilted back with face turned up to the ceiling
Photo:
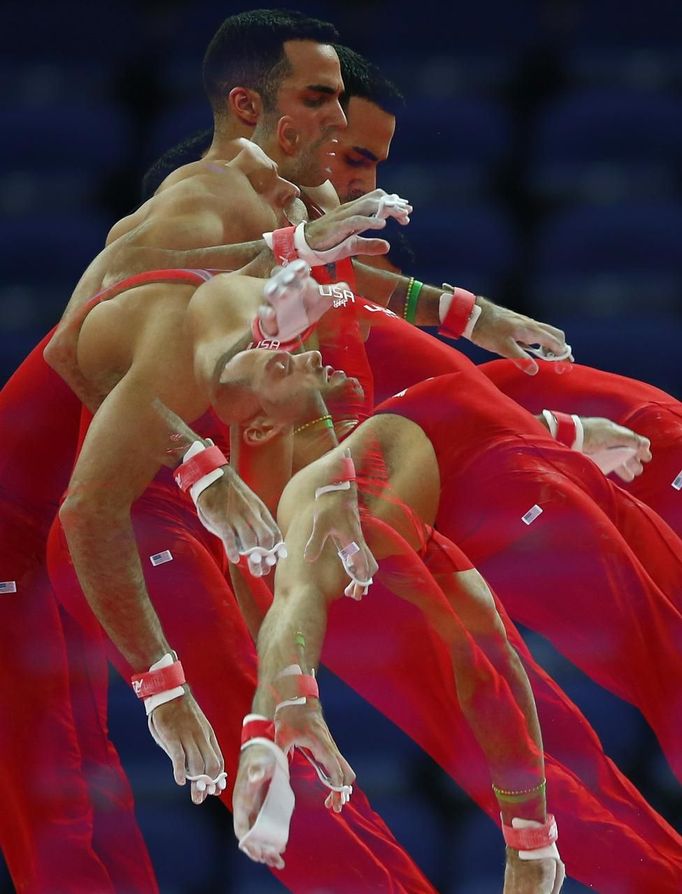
column 266, row 392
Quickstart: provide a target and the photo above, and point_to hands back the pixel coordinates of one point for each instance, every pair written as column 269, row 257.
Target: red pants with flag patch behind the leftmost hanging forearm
column 348, row 854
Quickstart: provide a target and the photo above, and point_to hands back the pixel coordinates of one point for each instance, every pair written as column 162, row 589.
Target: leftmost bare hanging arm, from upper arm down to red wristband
column 113, row 469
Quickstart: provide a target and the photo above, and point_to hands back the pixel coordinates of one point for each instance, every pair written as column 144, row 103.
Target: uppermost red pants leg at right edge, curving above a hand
column 641, row 407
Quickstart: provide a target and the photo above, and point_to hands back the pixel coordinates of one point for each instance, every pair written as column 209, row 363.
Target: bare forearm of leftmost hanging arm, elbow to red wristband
column 104, row 553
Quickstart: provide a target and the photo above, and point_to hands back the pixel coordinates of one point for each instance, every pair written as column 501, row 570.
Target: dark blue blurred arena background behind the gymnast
column 541, row 146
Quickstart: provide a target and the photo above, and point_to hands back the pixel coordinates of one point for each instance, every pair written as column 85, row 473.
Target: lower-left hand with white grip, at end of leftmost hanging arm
column 184, row 733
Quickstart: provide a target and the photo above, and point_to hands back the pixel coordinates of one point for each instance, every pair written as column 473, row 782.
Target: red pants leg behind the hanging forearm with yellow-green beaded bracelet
column 610, row 838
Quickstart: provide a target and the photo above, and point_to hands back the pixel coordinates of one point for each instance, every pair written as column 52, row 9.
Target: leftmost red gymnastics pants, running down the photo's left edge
column 67, row 822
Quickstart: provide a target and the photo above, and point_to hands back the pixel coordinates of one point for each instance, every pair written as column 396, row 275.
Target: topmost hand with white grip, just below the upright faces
column 338, row 230
